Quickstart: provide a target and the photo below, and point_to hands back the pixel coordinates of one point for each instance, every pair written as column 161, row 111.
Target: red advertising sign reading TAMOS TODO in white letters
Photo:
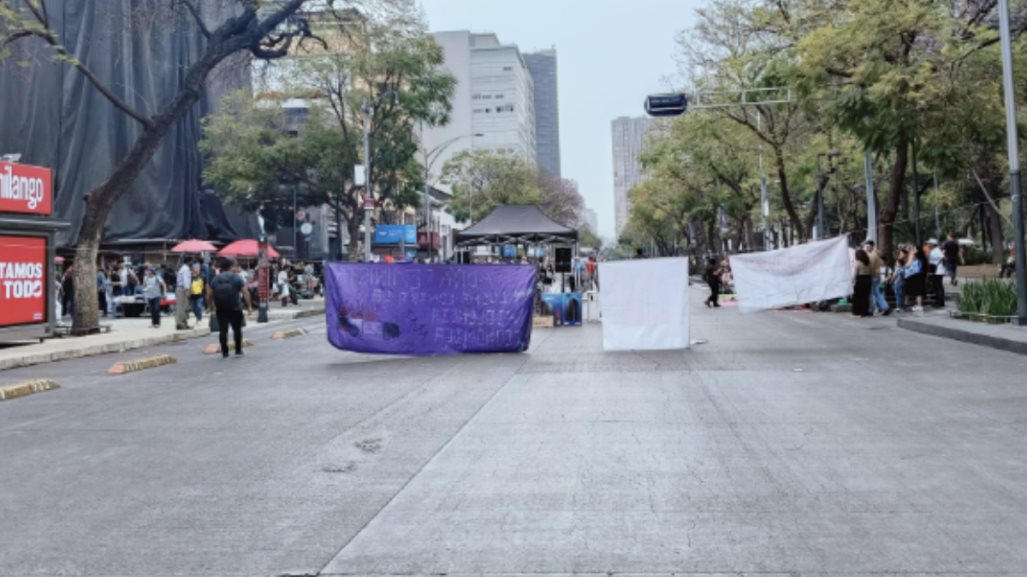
column 23, row 281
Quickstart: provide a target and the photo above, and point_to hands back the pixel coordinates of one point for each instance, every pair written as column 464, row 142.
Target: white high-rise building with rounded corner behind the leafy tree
column 493, row 103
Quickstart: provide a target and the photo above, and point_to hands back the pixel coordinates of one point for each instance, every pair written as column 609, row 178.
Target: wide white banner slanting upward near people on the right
column 816, row 272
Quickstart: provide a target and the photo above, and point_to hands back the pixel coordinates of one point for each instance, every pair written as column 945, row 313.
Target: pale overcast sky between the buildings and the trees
column 612, row 54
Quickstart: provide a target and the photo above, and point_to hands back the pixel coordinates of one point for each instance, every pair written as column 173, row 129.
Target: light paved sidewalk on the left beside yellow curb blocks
column 129, row 334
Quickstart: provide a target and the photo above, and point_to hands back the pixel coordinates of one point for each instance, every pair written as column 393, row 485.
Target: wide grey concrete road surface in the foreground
column 790, row 444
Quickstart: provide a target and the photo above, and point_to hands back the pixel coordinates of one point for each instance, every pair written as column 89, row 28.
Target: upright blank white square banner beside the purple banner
column 645, row 304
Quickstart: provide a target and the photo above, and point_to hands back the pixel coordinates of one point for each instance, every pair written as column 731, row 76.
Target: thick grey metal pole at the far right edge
column 1014, row 152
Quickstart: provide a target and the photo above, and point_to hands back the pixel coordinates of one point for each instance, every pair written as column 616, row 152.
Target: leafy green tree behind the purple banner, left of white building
column 390, row 60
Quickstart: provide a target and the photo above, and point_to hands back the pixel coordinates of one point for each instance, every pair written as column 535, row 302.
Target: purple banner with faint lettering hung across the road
column 430, row 310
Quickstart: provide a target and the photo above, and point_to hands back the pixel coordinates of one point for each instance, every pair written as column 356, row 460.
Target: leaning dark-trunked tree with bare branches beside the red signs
column 265, row 30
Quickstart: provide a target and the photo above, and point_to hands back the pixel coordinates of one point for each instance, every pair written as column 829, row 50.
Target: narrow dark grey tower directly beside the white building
column 543, row 66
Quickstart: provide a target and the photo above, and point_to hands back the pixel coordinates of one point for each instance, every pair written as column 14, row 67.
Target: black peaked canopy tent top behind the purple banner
column 516, row 225
